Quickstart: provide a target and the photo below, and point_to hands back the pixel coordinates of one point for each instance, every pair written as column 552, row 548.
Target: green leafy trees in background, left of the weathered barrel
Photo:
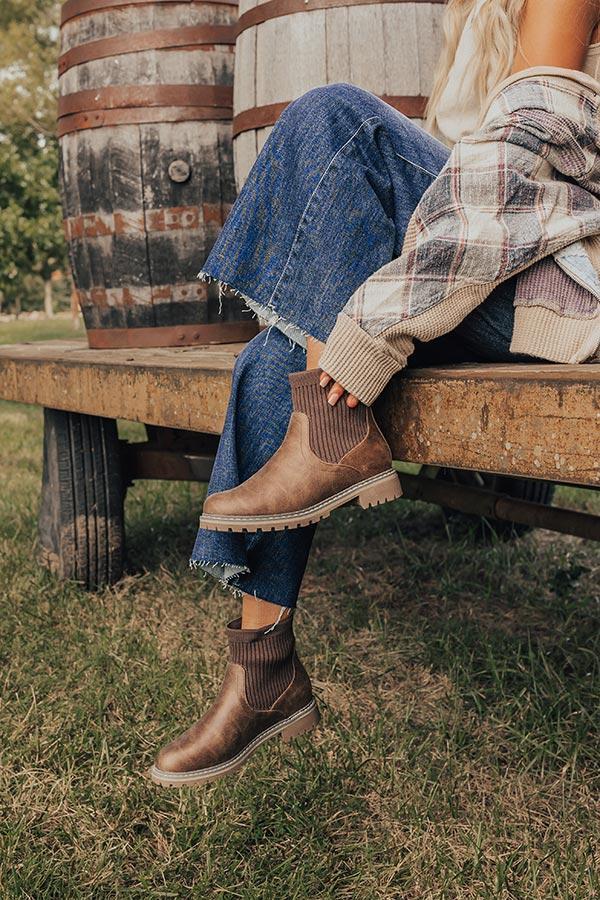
column 32, row 244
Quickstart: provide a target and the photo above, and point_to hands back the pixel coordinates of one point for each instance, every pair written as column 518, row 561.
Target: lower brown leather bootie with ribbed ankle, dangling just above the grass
column 265, row 692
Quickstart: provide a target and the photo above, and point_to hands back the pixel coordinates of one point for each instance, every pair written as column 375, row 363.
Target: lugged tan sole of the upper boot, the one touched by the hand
column 371, row 492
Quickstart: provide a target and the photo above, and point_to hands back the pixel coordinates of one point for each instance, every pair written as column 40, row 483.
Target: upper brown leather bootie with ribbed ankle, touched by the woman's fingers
column 330, row 456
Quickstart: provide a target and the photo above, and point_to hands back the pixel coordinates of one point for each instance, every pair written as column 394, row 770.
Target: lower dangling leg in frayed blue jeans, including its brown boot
column 266, row 690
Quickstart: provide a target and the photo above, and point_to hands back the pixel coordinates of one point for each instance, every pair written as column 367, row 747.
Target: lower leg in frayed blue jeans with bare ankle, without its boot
column 262, row 567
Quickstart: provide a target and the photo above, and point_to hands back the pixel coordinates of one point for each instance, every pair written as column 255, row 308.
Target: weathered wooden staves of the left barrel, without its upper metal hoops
column 137, row 235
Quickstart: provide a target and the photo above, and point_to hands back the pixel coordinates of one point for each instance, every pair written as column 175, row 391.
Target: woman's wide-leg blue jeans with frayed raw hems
column 325, row 205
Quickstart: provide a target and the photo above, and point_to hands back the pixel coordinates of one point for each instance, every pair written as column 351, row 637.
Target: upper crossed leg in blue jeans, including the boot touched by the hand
column 348, row 170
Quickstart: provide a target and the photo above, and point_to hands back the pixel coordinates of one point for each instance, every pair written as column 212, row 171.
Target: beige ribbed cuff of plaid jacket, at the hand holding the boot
column 357, row 360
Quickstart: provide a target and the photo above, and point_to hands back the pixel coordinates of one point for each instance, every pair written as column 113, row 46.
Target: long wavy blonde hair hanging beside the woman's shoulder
column 496, row 29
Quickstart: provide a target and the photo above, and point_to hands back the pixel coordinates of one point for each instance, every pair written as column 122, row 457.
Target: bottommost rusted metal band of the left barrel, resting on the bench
column 171, row 335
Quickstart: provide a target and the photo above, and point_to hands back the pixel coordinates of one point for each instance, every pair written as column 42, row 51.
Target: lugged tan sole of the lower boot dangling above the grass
column 300, row 722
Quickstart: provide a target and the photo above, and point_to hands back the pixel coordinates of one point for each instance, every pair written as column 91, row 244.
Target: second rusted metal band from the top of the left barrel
column 196, row 36
